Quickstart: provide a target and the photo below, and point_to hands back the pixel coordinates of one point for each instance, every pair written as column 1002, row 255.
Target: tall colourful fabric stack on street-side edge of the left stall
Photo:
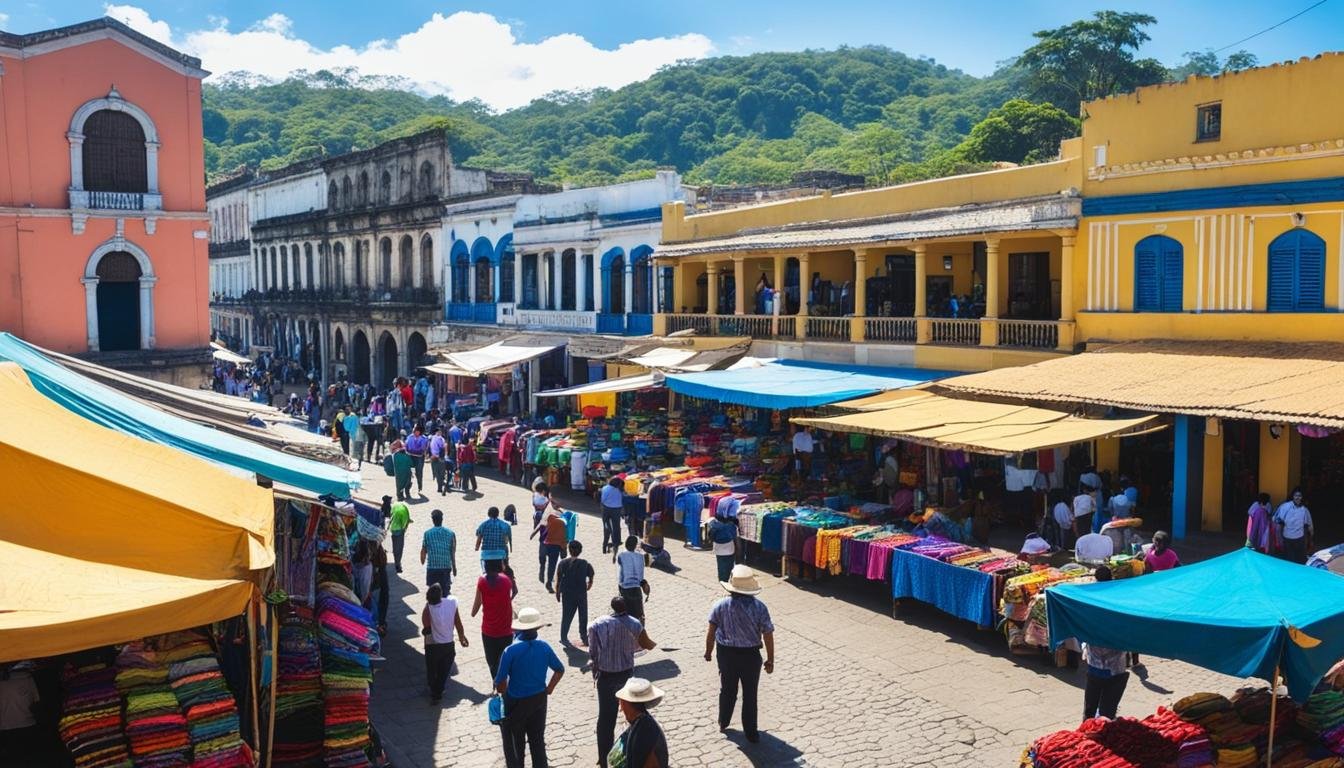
column 347, row 640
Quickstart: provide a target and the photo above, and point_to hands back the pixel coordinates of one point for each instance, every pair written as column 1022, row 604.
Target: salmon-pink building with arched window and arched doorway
column 103, row 198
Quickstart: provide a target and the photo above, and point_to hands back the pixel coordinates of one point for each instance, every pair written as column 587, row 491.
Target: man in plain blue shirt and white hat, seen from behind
column 522, row 683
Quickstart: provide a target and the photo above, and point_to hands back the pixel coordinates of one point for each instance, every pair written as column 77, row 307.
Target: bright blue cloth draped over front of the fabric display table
column 963, row 592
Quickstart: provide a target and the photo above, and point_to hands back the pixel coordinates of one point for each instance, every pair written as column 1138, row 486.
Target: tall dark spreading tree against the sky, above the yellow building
column 1091, row 59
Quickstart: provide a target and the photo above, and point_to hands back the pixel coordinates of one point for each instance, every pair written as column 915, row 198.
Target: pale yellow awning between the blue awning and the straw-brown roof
column 978, row 427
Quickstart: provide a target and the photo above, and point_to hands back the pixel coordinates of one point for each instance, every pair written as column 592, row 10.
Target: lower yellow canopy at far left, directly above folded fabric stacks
column 53, row 605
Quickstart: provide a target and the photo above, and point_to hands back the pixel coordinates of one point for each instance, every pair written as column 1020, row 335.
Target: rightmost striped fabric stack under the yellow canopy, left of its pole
column 212, row 711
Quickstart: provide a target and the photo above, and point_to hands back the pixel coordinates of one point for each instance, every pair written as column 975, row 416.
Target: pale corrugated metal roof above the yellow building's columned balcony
column 1044, row 213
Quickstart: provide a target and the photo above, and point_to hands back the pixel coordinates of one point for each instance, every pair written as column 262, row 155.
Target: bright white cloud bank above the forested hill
column 463, row 56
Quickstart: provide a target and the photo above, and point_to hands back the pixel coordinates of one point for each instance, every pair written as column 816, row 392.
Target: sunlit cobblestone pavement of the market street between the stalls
column 853, row 685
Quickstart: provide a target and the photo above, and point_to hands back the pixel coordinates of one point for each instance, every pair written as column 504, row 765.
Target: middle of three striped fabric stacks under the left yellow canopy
column 155, row 724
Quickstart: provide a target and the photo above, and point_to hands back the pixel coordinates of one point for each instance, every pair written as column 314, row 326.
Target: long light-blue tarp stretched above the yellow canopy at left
column 115, row 411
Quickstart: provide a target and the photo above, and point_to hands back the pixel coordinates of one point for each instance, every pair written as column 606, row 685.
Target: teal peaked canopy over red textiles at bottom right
column 1243, row 614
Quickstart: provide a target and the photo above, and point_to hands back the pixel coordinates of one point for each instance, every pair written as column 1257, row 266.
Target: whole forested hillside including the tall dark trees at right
column 730, row 120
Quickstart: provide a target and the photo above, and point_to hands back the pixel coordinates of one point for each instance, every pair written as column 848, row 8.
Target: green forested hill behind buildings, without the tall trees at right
column 756, row 119
